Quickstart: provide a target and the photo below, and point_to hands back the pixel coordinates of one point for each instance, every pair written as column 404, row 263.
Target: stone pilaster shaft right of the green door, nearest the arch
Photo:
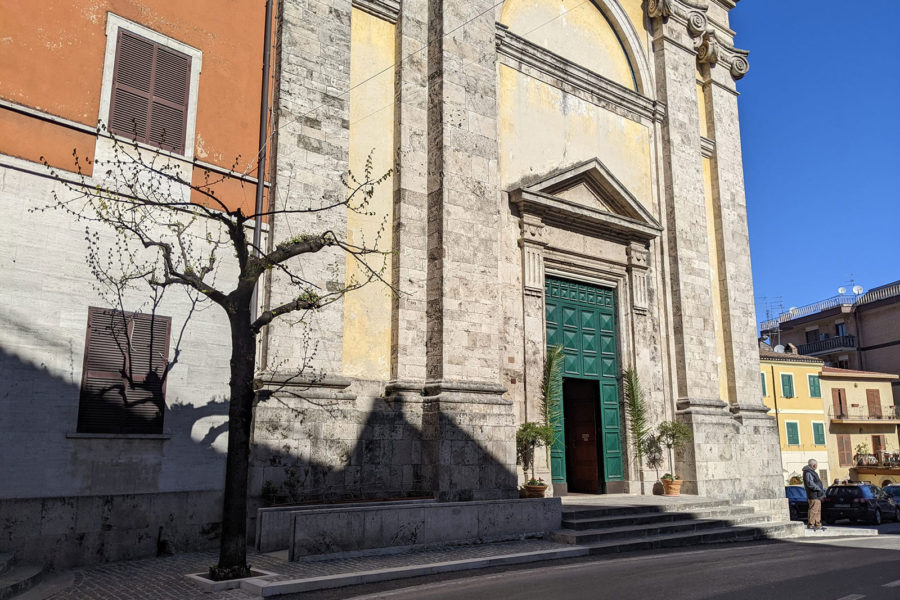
column 686, row 231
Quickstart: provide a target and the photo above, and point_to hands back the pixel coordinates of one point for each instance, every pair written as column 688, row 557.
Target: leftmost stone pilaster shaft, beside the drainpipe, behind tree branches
column 312, row 120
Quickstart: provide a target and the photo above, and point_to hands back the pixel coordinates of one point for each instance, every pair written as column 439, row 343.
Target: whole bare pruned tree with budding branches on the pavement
column 149, row 229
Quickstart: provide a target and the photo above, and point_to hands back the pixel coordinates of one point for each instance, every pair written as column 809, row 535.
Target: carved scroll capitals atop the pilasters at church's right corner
column 710, row 49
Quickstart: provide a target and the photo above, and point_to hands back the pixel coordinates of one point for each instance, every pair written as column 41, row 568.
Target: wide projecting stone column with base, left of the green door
column 470, row 426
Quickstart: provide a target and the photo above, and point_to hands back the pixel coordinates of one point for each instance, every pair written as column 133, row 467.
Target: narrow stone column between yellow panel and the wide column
column 410, row 202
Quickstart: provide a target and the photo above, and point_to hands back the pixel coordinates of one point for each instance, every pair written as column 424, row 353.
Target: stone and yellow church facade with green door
column 562, row 173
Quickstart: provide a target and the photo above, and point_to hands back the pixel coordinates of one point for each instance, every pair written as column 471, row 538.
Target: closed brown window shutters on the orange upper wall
column 149, row 93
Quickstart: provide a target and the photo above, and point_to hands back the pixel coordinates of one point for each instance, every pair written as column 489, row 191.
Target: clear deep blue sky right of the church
column 820, row 126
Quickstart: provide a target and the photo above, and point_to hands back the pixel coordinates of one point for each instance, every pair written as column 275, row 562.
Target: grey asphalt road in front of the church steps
column 812, row 568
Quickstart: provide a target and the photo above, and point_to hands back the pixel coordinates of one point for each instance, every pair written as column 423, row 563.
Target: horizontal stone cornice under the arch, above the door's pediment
column 522, row 55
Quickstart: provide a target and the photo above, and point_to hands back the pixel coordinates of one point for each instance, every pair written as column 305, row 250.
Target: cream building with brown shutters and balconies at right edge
column 863, row 442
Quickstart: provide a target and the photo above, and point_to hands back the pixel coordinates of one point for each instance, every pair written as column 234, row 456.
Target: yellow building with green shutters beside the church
column 793, row 393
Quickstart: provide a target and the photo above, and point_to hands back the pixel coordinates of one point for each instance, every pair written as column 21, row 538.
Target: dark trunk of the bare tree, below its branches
column 233, row 550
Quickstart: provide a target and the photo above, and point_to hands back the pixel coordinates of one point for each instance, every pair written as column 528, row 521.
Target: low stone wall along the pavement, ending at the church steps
column 328, row 531
